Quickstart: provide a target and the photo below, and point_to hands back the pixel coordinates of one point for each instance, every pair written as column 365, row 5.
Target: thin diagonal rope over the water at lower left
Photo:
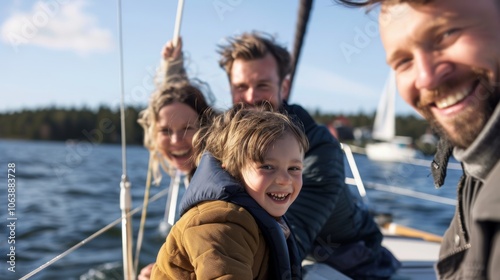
column 91, row 237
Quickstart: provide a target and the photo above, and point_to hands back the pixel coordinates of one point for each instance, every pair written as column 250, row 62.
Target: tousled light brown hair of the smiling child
column 242, row 134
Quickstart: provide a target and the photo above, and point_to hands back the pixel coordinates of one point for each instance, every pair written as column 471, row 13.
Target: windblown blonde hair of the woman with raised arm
column 186, row 92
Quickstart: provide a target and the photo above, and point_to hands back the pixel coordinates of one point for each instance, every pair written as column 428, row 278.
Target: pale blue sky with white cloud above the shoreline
column 66, row 53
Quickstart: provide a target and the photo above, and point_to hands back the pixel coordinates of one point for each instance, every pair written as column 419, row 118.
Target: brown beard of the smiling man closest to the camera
column 470, row 122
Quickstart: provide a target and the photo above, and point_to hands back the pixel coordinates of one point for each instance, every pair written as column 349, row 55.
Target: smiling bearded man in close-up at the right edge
column 447, row 60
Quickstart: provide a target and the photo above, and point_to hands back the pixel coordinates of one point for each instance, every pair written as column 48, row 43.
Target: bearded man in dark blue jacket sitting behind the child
column 327, row 221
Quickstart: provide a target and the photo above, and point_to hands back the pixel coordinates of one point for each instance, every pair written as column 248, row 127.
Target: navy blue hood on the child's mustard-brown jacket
column 209, row 182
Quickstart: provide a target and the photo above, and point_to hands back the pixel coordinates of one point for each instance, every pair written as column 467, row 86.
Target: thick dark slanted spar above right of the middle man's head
column 303, row 19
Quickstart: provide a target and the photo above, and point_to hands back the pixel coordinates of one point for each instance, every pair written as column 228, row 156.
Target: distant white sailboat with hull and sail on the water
column 389, row 147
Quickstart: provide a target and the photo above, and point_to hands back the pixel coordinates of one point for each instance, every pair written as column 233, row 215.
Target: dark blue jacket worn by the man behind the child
column 329, row 223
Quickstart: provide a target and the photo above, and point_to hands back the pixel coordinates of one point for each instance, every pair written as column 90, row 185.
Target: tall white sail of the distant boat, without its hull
column 384, row 128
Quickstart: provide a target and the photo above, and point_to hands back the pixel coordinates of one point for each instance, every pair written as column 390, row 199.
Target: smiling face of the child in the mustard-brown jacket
column 276, row 182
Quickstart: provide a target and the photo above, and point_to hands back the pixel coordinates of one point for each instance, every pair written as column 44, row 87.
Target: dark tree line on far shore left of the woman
column 102, row 125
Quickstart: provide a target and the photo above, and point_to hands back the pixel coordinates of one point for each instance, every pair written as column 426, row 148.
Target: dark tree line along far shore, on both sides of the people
column 104, row 125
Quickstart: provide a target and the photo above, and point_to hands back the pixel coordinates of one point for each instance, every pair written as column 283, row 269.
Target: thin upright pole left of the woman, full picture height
column 125, row 197
